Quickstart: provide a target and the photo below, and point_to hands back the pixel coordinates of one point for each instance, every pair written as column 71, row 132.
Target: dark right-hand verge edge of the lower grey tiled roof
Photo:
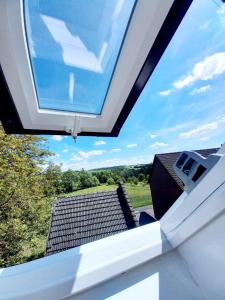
column 126, row 206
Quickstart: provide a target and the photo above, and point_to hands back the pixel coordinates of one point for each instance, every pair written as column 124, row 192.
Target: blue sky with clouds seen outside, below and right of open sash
column 181, row 108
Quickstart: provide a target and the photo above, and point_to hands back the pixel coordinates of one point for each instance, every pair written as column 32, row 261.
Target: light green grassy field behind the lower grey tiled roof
column 139, row 194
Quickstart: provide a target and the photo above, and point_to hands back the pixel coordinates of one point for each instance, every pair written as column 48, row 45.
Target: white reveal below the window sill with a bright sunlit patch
column 163, row 278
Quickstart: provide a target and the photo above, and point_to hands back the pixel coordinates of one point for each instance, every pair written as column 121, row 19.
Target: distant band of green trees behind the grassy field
column 57, row 182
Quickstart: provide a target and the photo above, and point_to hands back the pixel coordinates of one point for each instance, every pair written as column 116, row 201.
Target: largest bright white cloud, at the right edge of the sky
column 206, row 69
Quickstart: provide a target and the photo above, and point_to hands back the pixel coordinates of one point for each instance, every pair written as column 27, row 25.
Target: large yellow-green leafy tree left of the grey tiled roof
column 24, row 211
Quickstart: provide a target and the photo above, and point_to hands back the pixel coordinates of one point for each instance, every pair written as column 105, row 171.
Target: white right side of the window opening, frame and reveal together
column 195, row 226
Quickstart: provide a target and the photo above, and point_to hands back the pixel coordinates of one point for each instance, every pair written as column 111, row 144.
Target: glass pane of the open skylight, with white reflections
column 74, row 46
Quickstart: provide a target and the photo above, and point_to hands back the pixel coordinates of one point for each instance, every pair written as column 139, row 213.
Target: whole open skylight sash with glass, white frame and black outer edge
column 78, row 67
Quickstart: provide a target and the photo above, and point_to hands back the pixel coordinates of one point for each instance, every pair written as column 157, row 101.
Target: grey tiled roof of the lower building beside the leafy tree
column 81, row 219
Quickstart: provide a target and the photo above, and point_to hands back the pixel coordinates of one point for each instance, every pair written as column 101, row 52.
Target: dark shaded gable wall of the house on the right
column 164, row 189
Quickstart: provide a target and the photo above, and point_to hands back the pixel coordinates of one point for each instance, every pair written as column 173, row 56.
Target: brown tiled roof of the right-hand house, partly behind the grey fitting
column 168, row 159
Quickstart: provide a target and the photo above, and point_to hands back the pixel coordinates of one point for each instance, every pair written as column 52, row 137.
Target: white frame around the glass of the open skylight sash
column 146, row 21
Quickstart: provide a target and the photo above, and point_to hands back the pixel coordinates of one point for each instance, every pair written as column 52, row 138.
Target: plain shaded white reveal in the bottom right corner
column 205, row 256
